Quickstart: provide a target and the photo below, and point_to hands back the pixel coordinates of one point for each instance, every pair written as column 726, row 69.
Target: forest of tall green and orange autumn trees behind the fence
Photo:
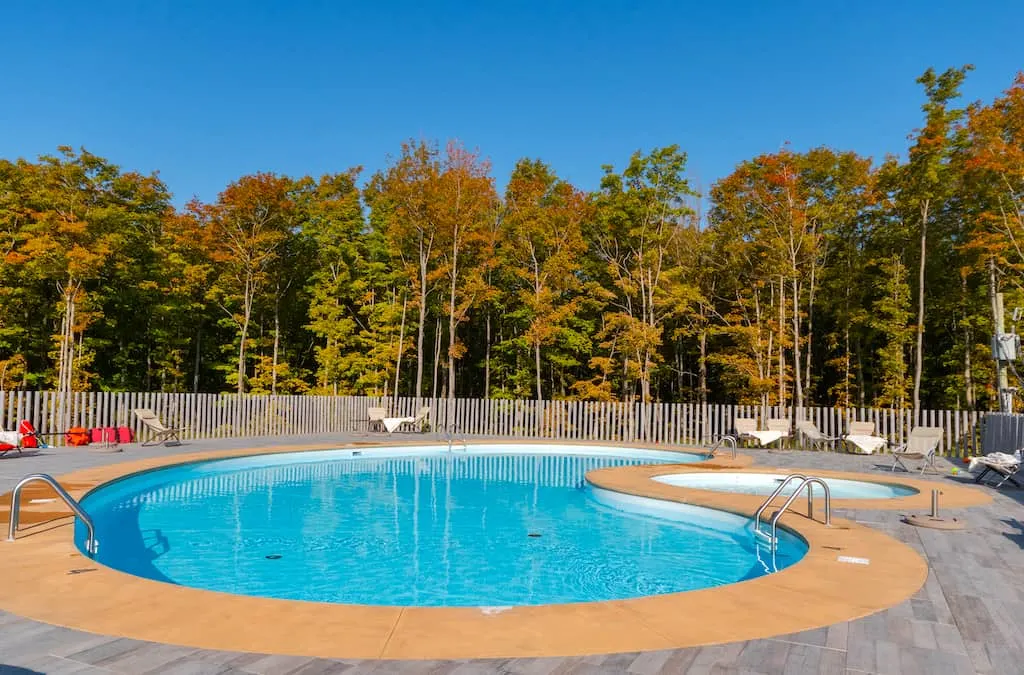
column 802, row 278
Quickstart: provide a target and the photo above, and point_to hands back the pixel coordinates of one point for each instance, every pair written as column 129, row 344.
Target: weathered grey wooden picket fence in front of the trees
column 224, row 416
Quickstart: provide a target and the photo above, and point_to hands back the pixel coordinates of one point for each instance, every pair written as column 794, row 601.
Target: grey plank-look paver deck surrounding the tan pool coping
column 969, row 618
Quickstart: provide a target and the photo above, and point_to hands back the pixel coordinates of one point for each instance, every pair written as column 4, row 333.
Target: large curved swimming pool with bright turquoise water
column 495, row 526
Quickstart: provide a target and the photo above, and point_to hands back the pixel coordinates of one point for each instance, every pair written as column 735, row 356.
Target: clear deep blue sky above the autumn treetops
column 206, row 92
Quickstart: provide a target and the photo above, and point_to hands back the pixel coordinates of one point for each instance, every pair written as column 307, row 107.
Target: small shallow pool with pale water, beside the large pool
column 765, row 484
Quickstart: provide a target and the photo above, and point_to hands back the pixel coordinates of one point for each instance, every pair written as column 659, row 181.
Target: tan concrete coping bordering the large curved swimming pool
column 48, row 579
